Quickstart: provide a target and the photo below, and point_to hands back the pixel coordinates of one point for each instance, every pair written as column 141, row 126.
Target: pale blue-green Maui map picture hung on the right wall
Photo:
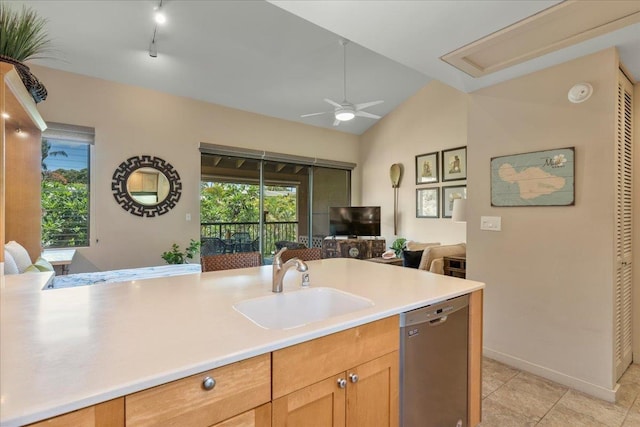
column 540, row 178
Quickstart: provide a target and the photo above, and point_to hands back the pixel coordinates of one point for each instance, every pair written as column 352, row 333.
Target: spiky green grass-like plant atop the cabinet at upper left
column 22, row 37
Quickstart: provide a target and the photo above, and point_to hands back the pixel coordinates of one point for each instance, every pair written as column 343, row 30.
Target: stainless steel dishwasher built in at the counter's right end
column 433, row 365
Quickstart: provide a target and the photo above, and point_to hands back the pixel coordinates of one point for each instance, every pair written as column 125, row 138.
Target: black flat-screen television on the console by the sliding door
column 354, row 221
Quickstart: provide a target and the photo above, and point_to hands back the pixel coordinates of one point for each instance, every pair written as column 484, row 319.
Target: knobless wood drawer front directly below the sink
column 312, row 361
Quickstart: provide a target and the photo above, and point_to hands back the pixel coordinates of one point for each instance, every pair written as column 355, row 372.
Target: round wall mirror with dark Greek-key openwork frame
column 146, row 186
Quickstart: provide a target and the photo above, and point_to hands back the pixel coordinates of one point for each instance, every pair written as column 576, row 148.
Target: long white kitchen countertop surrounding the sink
column 65, row 349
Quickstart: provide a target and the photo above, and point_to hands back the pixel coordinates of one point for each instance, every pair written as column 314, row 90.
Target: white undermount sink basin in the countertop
column 293, row 309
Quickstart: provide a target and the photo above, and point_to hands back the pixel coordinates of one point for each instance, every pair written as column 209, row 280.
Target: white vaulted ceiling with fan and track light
column 282, row 58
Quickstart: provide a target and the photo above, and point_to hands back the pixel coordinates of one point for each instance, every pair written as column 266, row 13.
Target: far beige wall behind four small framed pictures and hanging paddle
column 433, row 119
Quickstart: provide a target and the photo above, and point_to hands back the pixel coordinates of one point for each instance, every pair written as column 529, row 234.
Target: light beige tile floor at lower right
column 511, row 398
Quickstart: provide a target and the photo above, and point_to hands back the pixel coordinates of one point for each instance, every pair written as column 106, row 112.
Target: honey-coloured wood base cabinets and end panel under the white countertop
column 349, row 378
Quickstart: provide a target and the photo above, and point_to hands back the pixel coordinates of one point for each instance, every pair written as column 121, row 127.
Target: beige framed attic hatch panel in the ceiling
column 559, row 26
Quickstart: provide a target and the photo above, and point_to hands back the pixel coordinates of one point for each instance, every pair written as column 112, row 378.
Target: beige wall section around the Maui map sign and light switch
column 549, row 273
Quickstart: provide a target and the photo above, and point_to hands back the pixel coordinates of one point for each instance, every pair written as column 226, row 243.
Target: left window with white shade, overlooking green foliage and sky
column 66, row 158
